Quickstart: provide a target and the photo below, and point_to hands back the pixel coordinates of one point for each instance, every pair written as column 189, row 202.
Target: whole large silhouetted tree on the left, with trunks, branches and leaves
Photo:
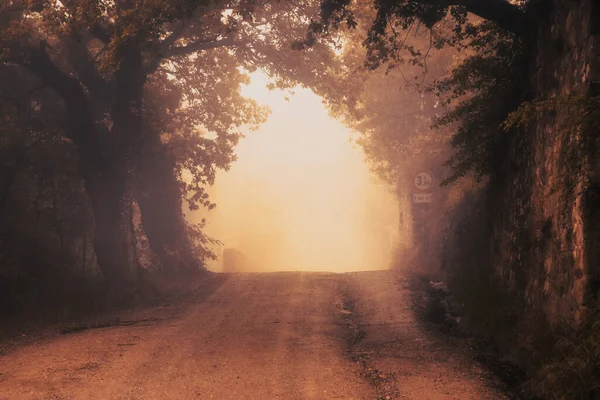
column 99, row 58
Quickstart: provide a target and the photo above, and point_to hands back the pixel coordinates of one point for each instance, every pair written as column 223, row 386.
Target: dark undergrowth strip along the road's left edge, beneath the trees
column 90, row 305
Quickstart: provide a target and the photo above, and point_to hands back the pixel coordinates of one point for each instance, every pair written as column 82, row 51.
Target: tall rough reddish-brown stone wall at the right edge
column 544, row 232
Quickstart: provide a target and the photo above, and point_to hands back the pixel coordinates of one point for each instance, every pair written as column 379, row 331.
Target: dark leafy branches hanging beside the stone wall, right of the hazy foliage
column 480, row 93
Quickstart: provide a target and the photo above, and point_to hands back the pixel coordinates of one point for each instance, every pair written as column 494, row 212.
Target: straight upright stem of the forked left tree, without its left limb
column 116, row 183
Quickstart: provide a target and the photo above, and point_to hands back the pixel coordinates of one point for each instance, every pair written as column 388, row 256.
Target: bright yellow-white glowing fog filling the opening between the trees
column 300, row 196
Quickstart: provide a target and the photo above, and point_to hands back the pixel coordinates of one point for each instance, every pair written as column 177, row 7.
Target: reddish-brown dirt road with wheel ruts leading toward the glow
column 258, row 336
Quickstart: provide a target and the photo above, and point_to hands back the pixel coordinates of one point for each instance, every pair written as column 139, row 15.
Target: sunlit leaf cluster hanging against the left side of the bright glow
column 199, row 117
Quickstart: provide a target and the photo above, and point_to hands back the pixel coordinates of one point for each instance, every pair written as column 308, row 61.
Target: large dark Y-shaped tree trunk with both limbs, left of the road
column 106, row 168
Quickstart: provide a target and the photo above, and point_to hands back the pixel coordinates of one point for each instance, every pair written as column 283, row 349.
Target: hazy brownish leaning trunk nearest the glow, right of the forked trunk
column 159, row 196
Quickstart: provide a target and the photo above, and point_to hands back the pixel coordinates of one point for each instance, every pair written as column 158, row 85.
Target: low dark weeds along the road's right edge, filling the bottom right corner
column 534, row 361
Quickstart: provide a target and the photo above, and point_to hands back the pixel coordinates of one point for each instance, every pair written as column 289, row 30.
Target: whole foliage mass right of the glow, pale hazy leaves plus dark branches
column 452, row 74
